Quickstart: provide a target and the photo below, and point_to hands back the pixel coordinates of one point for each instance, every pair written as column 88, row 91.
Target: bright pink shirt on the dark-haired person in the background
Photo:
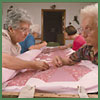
column 78, row 42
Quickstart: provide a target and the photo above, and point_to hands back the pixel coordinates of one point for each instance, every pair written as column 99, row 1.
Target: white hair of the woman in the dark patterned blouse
column 90, row 11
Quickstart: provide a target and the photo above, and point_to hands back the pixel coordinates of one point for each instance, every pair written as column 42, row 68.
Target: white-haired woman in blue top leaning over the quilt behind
column 29, row 42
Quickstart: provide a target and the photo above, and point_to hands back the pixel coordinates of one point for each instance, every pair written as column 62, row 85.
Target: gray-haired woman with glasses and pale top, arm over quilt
column 17, row 26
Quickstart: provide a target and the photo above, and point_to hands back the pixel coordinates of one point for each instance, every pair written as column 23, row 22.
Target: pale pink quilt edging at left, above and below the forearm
column 9, row 74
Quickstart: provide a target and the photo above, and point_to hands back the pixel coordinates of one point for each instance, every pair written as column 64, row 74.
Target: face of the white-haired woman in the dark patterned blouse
column 90, row 31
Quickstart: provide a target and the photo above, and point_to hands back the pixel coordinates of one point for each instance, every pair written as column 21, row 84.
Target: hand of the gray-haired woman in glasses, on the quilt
column 40, row 65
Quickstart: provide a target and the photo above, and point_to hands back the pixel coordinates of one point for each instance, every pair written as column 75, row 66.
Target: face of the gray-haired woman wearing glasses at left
column 19, row 34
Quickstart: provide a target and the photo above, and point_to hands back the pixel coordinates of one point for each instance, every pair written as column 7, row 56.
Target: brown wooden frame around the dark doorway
column 53, row 10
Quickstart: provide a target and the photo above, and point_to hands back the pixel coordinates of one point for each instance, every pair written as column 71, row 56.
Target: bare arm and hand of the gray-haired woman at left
column 12, row 62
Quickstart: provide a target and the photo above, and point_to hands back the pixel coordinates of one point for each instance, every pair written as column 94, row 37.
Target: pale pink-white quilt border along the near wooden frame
column 67, row 87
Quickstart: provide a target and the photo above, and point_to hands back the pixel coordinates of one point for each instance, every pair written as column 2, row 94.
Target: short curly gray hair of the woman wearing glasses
column 15, row 16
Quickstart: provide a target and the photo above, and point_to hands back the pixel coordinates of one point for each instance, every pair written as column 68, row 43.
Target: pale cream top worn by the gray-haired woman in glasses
column 8, row 46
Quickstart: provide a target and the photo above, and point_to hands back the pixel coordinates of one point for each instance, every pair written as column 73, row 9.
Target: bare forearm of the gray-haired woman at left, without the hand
column 14, row 63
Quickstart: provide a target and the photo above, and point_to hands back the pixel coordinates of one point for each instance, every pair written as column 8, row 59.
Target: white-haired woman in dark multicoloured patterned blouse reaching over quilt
column 89, row 28
